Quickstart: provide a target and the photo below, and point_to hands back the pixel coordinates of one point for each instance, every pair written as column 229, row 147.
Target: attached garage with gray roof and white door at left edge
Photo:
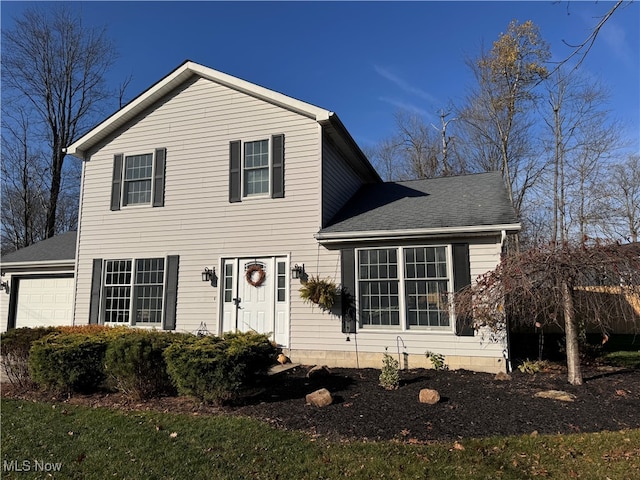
column 39, row 283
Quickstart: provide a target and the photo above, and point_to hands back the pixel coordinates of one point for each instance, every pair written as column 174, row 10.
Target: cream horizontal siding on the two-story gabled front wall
column 196, row 124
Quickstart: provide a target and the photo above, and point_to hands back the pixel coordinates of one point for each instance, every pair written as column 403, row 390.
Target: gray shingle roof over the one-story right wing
column 467, row 200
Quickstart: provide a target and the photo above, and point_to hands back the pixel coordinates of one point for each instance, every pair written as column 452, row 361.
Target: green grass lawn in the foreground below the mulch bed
column 59, row 441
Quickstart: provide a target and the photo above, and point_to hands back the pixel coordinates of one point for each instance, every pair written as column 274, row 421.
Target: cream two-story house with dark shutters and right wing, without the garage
column 207, row 200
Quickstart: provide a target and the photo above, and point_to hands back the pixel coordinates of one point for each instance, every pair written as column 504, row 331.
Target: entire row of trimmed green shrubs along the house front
column 140, row 363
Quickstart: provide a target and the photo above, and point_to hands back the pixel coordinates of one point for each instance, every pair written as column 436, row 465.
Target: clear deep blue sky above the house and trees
column 363, row 60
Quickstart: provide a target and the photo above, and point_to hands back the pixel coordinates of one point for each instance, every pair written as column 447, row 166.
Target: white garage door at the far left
column 44, row 302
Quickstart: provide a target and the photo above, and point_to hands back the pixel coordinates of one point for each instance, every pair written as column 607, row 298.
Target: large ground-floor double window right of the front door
column 404, row 288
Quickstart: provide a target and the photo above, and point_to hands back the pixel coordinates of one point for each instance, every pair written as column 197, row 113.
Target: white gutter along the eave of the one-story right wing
column 341, row 237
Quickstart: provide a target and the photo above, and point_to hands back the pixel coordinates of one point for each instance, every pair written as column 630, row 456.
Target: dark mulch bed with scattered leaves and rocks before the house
column 472, row 404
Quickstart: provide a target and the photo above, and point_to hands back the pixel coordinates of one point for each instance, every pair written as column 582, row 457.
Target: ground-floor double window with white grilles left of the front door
column 133, row 291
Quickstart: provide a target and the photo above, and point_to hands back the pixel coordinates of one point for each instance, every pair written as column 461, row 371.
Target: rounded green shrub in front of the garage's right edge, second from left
column 68, row 362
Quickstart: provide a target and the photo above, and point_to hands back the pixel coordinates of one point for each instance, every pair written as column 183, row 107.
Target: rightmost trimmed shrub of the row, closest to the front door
column 216, row 369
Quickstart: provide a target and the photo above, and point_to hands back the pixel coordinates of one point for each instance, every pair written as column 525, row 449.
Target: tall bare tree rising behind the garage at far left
column 57, row 66
